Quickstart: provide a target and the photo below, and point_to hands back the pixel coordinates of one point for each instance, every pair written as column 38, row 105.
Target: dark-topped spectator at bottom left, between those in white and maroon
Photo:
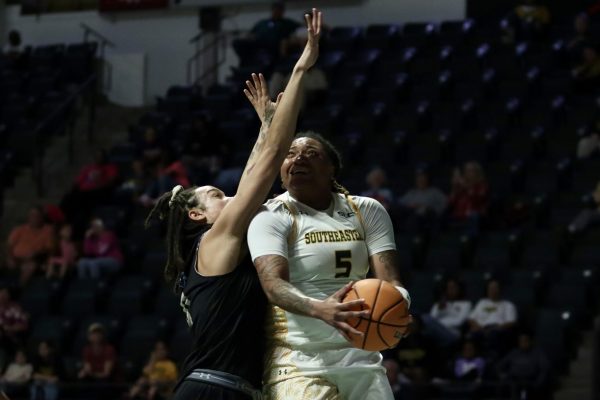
column 47, row 373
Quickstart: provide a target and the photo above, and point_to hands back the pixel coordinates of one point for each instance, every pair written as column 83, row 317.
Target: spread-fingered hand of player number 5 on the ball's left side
column 335, row 313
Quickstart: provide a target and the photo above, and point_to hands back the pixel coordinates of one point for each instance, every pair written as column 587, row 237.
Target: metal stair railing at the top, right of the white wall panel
column 199, row 66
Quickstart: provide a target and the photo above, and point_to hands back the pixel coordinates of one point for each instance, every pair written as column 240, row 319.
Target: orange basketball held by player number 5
column 389, row 317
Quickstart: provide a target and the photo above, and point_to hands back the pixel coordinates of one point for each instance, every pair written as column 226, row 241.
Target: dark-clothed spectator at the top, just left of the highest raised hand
column 271, row 33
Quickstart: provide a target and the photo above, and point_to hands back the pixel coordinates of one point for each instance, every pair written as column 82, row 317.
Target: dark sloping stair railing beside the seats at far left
column 46, row 128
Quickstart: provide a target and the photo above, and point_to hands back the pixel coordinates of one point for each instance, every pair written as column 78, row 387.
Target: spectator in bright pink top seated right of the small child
column 101, row 252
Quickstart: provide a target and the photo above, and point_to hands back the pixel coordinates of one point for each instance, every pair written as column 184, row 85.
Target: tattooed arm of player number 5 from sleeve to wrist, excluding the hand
column 280, row 292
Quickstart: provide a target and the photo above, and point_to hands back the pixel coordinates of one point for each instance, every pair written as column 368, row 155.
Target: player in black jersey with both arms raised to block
column 207, row 253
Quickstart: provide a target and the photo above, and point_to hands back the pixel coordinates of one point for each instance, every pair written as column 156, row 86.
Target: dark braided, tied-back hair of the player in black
column 182, row 232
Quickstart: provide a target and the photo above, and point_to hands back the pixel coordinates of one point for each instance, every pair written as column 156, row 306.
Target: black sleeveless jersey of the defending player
column 226, row 314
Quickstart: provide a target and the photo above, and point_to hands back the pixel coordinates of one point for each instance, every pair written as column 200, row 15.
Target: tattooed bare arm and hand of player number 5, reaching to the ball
column 273, row 272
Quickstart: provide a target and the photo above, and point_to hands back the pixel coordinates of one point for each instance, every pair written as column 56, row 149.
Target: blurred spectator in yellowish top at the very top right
column 527, row 21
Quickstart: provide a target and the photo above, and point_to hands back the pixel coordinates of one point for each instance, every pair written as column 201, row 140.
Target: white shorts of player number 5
column 341, row 374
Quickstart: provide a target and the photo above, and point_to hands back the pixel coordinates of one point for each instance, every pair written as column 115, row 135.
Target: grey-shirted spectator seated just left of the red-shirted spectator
column 423, row 204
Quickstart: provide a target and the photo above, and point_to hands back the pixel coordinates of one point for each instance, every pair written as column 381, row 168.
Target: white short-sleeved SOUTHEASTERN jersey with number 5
column 325, row 250
